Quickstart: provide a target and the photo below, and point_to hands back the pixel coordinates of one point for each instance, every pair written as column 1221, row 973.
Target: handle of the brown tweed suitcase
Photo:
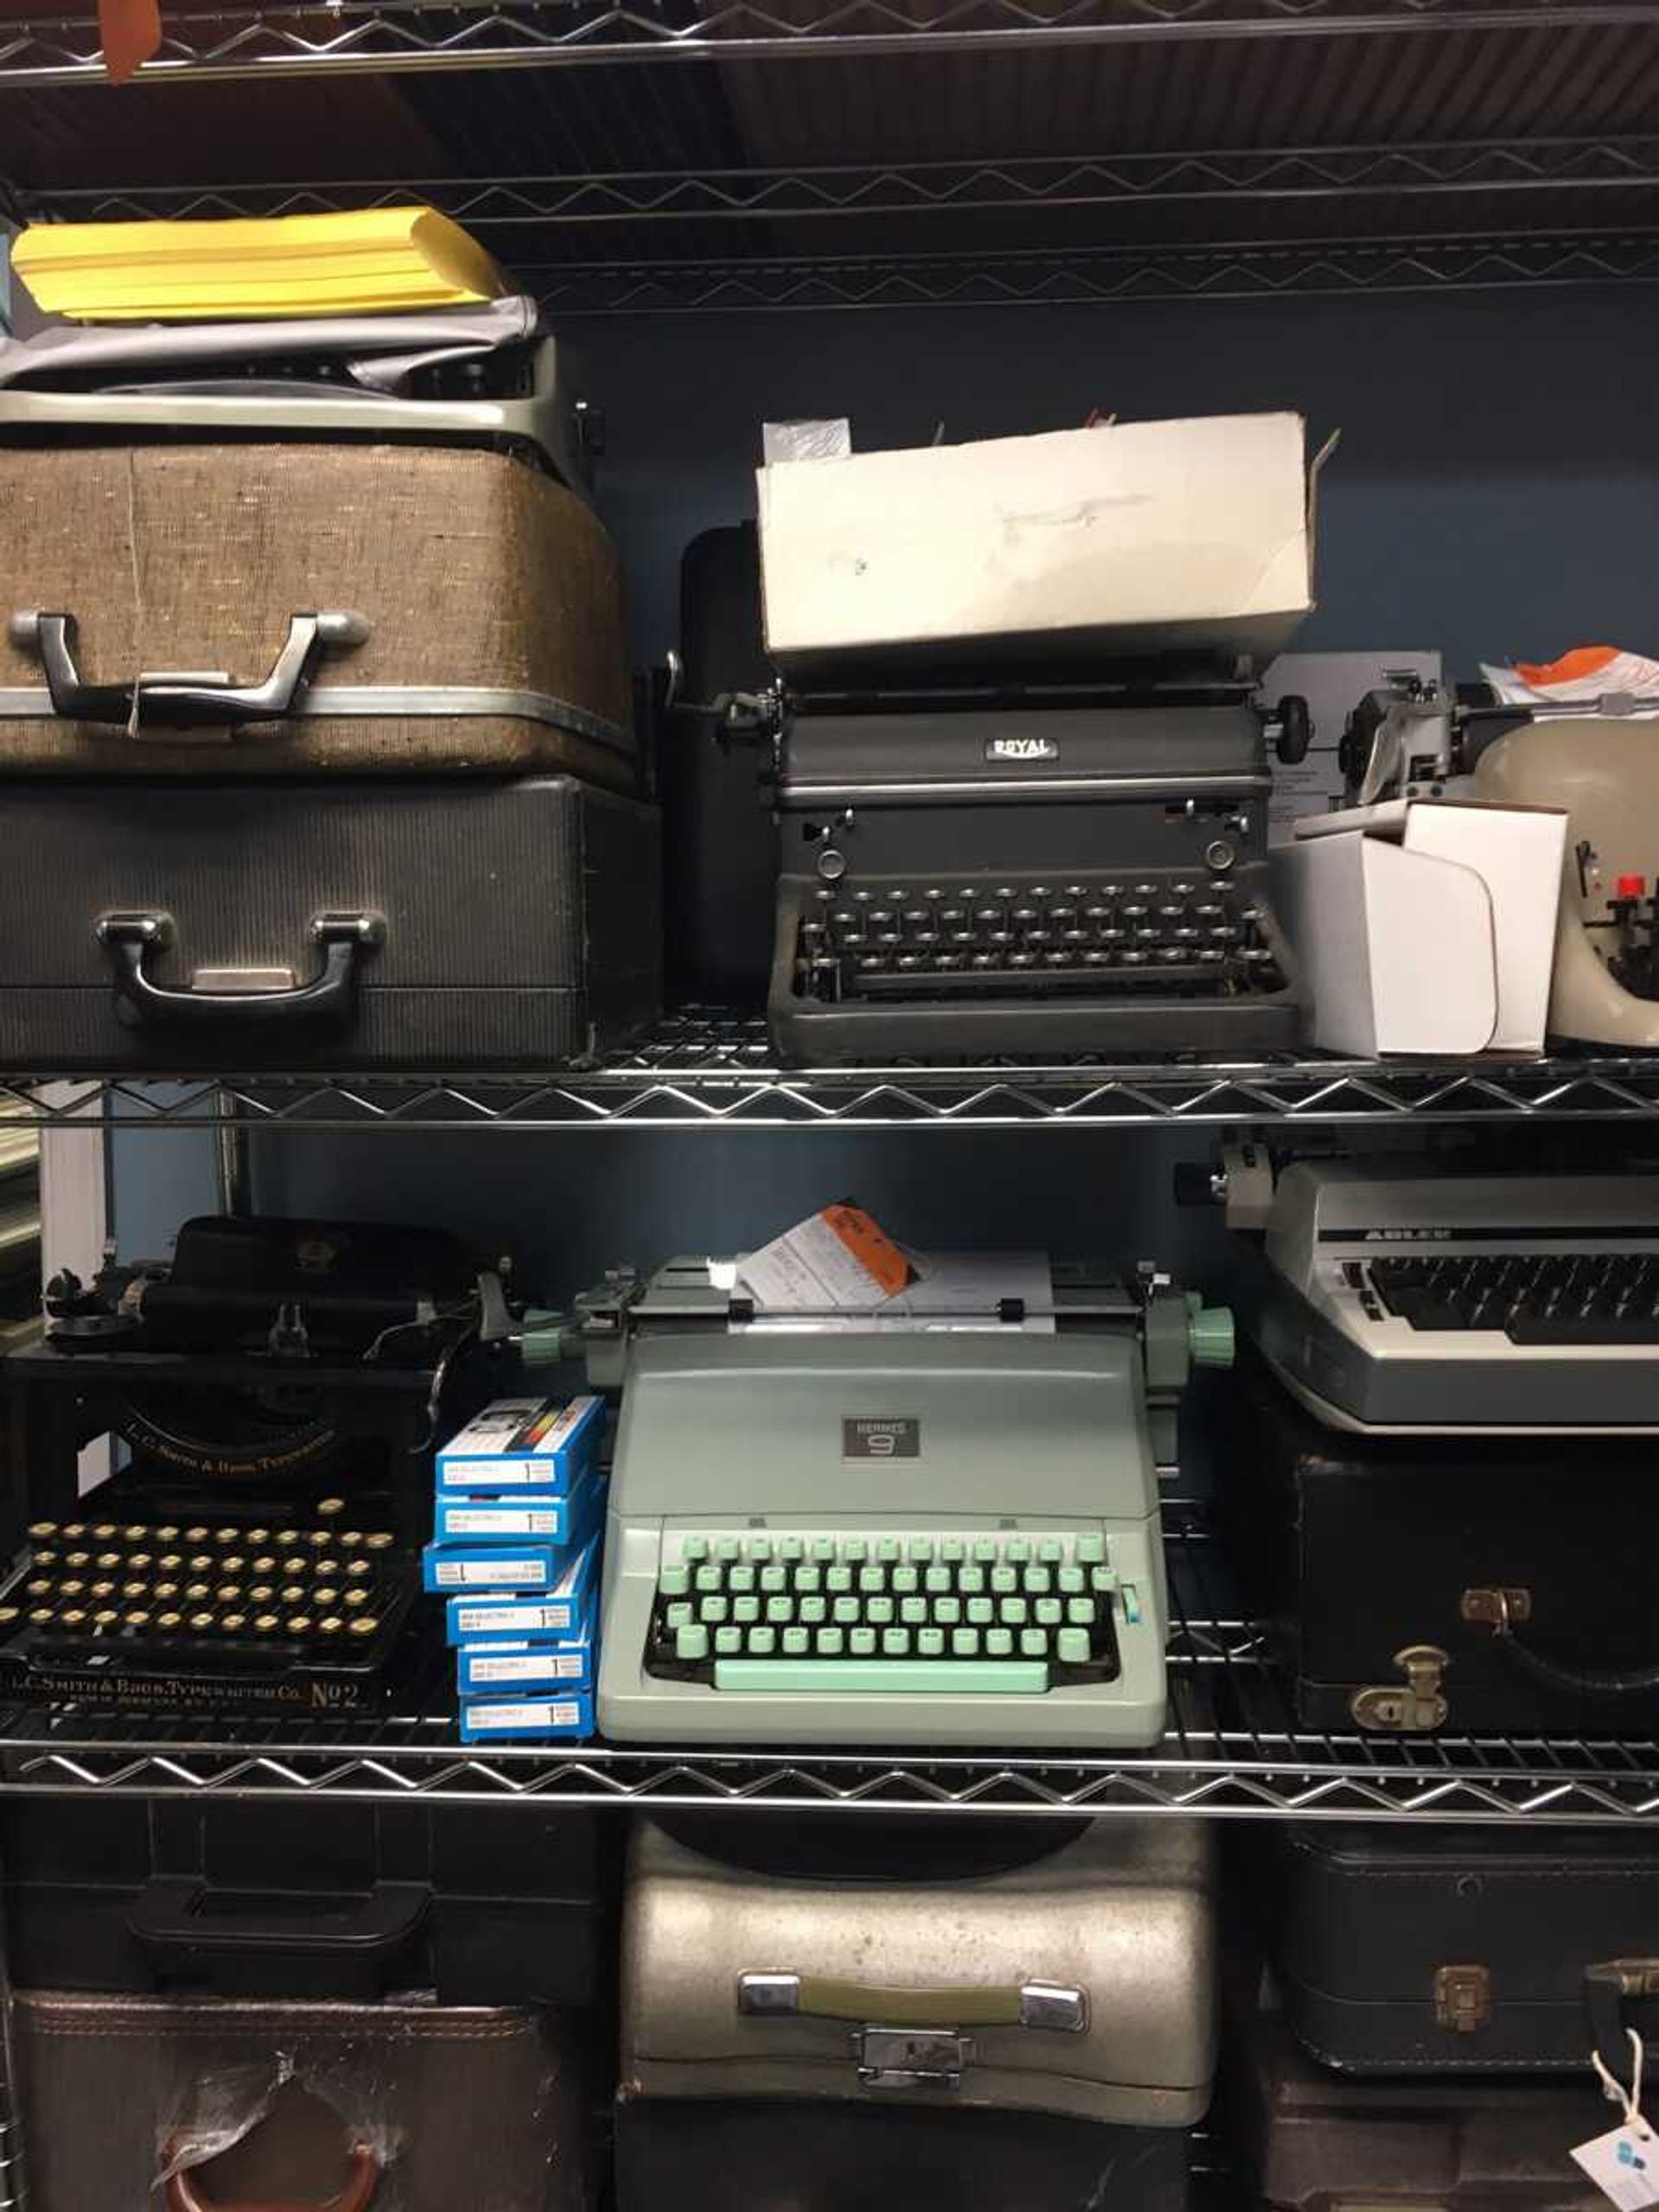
column 180, row 700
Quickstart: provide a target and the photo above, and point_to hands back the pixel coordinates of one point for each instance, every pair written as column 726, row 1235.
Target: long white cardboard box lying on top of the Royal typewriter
column 1123, row 539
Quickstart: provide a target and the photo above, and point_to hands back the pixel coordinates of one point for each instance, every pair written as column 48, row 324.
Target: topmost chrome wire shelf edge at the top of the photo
column 382, row 36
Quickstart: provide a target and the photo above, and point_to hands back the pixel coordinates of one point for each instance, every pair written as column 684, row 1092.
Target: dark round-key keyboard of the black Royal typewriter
column 1129, row 935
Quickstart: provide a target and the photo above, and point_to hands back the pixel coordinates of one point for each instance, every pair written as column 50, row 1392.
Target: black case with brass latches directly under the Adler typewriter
column 1446, row 1583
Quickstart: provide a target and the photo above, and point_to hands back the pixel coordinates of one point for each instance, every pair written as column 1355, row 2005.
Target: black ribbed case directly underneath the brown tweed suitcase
column 324, row 926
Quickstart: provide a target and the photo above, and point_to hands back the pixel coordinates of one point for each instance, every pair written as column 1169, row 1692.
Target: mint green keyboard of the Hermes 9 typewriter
column 888, row 1611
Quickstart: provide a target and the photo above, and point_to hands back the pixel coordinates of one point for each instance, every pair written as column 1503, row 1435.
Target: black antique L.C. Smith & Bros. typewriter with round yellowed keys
column 271, row 1395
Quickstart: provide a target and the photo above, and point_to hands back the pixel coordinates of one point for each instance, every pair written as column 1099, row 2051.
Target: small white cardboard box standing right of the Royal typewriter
column 1426, row 926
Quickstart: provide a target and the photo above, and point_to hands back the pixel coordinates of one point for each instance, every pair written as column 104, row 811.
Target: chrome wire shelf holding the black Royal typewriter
column 718, row 1072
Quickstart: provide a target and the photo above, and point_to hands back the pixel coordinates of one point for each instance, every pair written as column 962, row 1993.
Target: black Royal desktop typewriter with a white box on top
column 1027, row 870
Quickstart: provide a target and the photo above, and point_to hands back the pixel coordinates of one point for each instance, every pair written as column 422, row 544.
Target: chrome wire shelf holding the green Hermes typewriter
column 1231, row 1751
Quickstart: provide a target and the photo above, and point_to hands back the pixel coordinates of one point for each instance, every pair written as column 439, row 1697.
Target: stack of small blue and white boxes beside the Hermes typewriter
column 517, row 1558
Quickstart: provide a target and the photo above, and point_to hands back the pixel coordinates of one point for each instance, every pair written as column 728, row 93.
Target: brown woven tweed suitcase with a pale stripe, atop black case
column 280, row 609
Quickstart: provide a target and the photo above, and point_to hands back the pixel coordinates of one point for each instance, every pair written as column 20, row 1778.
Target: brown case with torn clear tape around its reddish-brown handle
column 169, row 2107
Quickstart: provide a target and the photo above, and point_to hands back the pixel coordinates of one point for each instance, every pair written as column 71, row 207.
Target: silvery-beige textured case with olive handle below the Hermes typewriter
column 1078, row 1983
